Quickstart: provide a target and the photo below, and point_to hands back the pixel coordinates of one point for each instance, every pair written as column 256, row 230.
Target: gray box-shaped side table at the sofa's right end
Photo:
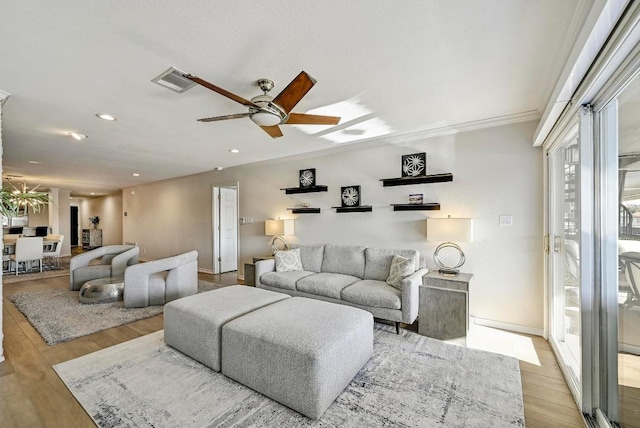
column 444, row 306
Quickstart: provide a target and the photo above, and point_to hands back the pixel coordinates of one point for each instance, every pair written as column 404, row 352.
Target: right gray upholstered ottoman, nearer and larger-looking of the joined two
column 299, row 352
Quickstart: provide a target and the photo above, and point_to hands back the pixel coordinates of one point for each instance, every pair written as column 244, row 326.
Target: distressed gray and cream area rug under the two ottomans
column 411, row 381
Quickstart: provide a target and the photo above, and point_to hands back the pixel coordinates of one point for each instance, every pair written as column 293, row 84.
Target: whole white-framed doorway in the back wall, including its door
column 225, row 228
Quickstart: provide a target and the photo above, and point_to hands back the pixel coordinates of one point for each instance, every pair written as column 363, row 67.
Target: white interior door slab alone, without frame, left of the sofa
column 228, row 229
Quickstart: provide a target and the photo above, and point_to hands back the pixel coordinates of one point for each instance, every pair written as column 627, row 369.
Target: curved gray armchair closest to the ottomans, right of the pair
column 160, row 281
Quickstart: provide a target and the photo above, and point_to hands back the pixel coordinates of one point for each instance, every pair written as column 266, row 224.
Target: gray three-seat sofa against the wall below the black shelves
column 350, row 275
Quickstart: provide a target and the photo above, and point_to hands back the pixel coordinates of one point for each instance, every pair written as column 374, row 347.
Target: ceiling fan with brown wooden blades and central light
column 268, row 112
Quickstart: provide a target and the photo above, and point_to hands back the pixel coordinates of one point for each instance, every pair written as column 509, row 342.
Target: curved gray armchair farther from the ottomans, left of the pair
column 115, row 259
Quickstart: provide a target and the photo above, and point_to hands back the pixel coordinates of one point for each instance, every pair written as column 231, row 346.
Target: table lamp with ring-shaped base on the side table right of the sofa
column 449, row 230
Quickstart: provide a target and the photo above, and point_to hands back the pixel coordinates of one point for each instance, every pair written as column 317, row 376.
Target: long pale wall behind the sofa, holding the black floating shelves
column 496, row 171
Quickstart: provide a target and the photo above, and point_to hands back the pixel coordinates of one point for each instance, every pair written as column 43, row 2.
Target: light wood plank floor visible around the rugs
column 32, row 395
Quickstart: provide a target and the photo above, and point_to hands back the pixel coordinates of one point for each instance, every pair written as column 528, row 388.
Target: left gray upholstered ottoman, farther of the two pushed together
column 193, row 324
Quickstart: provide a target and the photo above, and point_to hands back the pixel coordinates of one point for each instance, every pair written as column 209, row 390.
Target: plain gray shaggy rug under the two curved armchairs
column 59, row 316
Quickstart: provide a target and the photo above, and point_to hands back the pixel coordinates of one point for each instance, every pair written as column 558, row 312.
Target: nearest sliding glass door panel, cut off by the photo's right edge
column 619, row 126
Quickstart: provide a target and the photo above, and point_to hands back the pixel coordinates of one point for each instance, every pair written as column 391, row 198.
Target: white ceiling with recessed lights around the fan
column 416, row 65
